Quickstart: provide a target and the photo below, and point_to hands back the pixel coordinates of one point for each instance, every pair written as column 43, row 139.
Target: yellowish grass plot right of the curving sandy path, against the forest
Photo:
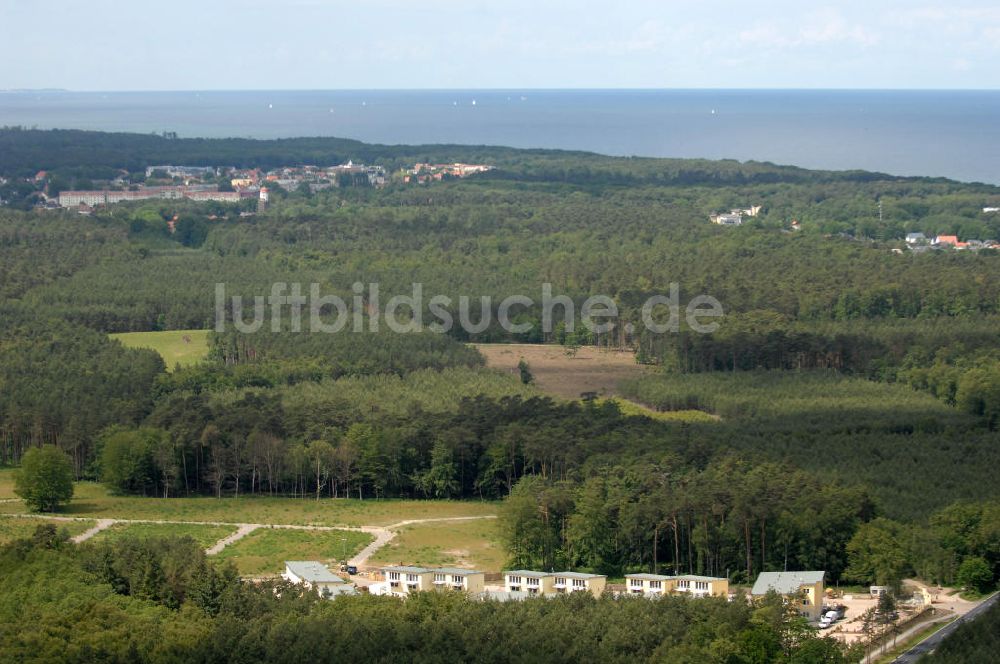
column 472, row 544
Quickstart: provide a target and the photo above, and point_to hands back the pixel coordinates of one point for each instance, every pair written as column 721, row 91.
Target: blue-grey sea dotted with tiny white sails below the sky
column 954, row 134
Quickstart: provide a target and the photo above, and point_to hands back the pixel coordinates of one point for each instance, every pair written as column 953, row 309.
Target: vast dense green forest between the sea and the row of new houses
column 854, row 385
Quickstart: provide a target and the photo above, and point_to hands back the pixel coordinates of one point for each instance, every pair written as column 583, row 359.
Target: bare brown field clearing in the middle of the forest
column 559, row 374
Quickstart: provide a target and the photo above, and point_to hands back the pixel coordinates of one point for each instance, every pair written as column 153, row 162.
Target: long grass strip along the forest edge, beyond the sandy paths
column 92, row 501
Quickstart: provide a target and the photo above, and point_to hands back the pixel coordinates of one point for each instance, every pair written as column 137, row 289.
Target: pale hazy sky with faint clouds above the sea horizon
column 334, row 44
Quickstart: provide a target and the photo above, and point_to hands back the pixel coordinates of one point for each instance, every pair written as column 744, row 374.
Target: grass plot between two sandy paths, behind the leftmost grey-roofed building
column 264, row 550
